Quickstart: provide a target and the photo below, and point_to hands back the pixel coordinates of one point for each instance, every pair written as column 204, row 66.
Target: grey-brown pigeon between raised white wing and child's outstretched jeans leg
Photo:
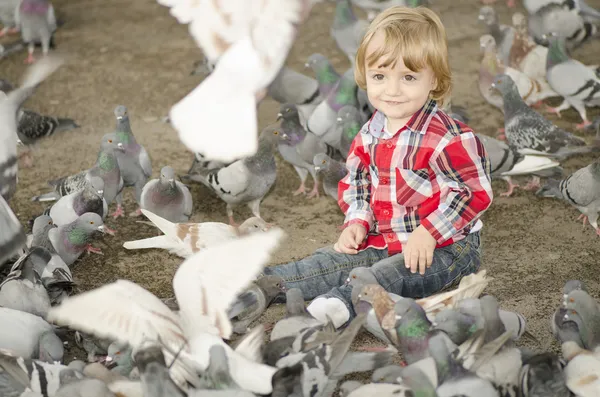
column 265, row 290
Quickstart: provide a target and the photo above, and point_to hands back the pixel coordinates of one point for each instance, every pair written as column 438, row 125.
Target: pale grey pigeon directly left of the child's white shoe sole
column 297, row 317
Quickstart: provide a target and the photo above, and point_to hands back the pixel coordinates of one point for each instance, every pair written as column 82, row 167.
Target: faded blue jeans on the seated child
column 324, row 272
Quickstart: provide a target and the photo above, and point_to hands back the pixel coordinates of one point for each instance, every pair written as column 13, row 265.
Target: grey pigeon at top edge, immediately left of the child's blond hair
column 347, row 30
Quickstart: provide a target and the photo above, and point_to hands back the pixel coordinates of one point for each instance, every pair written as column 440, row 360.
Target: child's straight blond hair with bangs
column 416, row 34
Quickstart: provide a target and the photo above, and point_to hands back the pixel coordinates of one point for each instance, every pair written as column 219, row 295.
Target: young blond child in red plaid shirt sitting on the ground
column 418, row 180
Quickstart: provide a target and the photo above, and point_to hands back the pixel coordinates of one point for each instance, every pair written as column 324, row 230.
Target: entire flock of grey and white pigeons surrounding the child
column 456, row 343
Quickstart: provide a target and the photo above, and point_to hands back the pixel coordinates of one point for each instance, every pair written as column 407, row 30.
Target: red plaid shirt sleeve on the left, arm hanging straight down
column 354, row 190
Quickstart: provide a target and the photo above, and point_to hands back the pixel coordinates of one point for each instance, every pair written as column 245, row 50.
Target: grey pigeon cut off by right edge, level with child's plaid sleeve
column 580, row 189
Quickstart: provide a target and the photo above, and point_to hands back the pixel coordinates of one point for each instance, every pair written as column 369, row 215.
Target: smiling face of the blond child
column 397, row 92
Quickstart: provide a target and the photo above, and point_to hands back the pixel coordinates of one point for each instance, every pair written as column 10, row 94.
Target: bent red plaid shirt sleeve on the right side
column 463, row 174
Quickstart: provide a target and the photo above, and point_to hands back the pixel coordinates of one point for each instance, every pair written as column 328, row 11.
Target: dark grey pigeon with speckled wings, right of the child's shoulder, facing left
column 531, row 133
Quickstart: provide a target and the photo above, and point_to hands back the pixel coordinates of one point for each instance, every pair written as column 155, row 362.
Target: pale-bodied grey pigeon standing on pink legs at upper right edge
column 570, row 78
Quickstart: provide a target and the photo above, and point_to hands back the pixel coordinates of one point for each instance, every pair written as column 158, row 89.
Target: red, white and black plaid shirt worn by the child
column 433, row 172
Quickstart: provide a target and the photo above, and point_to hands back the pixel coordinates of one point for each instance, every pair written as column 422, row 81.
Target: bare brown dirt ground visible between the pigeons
column 139, row 56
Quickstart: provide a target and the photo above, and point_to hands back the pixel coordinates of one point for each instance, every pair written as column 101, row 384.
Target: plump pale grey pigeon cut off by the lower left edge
column 29, row 336
